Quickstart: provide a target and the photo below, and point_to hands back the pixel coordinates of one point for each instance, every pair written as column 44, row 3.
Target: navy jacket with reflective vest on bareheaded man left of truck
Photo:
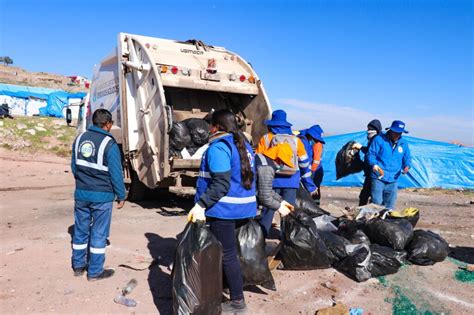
column 97, row 167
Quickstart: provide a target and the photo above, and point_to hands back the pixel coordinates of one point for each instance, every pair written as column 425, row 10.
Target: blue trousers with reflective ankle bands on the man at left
column 91, row 229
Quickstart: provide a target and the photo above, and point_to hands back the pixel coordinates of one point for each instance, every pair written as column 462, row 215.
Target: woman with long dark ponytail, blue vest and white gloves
column 225, row 196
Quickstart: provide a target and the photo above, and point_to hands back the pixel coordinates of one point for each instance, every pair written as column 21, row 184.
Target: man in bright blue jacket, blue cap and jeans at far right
column 388, row 157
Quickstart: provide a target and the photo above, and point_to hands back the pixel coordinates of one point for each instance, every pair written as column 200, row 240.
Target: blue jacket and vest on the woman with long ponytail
column 237, row 202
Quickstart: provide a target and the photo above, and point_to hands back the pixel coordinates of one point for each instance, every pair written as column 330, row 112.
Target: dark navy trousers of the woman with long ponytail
column 224, row 231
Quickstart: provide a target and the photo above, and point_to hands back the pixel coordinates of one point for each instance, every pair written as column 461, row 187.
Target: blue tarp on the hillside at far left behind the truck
column 56, row 99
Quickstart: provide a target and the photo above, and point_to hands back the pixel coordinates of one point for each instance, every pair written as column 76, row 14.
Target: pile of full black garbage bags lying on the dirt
column 361, row 249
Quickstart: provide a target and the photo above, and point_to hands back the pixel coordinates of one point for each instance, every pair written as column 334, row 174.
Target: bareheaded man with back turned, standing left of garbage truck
column 97, row 168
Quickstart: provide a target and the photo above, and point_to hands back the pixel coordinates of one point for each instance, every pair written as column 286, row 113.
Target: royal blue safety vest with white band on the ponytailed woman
column 239, row 203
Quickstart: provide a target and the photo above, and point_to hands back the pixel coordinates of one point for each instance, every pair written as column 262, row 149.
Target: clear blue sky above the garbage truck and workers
column 336, row 63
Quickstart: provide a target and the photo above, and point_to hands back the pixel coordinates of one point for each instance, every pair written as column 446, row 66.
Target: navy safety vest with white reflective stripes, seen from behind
column 92, row 172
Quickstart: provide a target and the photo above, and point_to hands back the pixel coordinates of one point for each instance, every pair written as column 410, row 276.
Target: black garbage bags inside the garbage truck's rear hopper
column 189, row 134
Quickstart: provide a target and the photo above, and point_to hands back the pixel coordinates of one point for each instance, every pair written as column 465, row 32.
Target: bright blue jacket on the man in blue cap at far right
column 391, row 157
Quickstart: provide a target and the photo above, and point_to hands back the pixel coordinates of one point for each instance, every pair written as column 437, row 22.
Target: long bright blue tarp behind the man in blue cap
column 435, row 164
